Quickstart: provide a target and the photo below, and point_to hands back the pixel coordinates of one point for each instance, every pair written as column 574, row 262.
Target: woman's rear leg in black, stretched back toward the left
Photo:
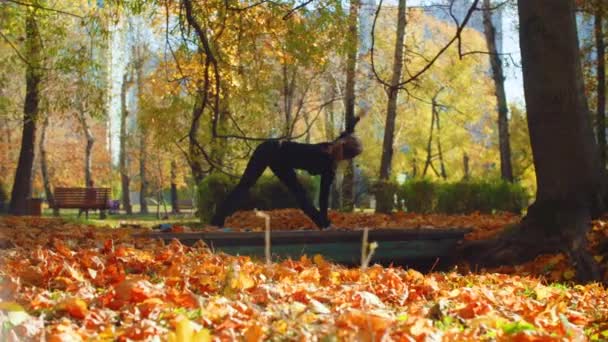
column 260, row 159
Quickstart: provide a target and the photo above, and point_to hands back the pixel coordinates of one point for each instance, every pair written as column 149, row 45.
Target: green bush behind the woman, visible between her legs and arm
column 268, row 193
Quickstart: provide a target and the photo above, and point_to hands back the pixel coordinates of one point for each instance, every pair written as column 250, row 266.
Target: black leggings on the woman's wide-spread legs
column 265, row 155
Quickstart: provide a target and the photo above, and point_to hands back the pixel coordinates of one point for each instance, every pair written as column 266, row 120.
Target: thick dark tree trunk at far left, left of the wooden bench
column 22, row 186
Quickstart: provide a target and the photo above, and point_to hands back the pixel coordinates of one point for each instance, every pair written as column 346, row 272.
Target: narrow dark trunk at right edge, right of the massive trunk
column 601, row 83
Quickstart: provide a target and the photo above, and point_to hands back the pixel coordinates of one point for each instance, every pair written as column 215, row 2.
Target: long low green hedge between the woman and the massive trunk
column 464, row 197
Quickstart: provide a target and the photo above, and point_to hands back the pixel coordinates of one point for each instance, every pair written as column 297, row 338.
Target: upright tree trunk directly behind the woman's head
column 348, row 182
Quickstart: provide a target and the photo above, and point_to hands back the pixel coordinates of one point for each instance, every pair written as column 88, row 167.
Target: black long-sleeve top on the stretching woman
column 316, row 160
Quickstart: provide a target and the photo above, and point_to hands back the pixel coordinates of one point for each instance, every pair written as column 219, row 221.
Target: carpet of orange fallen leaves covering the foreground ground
column 68, row 282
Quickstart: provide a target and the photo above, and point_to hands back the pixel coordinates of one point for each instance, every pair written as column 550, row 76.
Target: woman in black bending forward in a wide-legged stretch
column 283, row 158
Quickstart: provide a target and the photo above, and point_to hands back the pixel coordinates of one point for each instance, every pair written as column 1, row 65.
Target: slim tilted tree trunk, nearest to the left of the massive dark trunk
column 506, row 169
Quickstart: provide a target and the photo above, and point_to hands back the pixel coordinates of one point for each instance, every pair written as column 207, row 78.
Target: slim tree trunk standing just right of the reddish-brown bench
column 123, row 156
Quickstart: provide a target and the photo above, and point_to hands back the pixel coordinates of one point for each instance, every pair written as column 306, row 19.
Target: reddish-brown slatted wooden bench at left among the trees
column 82, row 198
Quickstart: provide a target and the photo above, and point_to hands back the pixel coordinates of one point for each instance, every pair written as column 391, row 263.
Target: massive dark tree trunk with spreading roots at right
column 570, row 181
